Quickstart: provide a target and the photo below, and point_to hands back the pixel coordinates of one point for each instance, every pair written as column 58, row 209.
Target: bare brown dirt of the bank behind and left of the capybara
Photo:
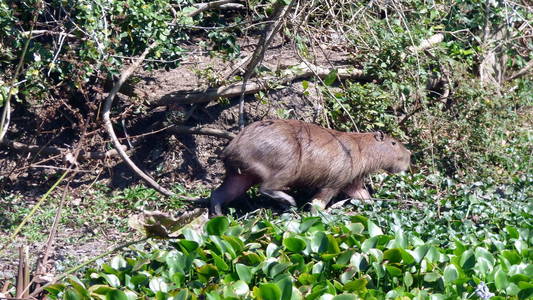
column 190, row 160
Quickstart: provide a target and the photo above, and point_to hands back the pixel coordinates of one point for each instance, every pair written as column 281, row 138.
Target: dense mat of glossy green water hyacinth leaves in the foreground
column 315, row 257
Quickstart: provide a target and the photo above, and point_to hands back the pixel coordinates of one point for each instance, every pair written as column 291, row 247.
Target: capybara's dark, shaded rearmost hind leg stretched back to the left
column 233, row 186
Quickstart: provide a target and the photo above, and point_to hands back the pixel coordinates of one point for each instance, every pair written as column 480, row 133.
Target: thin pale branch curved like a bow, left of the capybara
column 109, row 126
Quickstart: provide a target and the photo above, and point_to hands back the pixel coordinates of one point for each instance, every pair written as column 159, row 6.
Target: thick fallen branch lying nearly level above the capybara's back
column 255, row 85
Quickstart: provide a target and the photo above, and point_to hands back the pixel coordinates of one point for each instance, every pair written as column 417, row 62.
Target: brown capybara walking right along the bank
column 277, row 154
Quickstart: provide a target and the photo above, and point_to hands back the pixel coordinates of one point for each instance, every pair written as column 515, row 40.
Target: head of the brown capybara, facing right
column 393, row 155
